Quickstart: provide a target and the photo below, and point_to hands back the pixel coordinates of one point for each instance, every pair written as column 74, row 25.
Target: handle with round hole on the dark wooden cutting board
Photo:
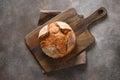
column 98, row 14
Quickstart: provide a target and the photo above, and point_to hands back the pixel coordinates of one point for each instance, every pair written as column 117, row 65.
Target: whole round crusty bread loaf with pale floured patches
column 57, row 39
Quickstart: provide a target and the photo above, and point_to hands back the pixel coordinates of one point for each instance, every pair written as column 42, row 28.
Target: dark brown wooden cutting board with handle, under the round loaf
column 78, row 24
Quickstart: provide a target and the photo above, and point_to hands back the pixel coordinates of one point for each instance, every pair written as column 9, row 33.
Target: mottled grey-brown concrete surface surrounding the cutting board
column 19, row 17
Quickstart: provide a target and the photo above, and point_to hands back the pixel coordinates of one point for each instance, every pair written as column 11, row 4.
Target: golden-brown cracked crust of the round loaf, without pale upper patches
column 55, row 42
